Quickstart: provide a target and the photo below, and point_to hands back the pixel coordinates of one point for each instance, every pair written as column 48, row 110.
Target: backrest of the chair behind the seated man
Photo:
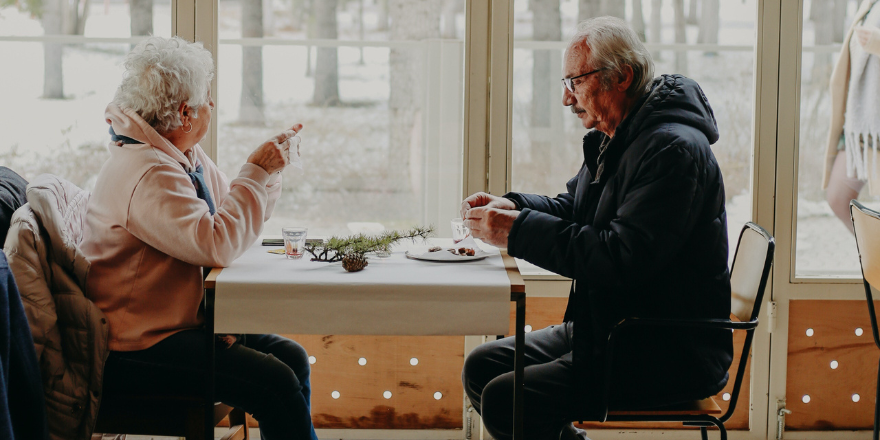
column 750, row 270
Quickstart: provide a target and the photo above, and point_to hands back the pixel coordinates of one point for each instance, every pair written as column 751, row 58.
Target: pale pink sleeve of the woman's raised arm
column 165, row 213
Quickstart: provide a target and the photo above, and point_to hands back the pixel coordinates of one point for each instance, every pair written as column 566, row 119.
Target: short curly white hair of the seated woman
column 160, row 74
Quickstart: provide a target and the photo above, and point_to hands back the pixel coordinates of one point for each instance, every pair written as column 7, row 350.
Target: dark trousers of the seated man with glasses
column 550, row 398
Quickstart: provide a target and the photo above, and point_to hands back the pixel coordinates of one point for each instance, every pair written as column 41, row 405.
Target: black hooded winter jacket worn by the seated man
column 648, row 239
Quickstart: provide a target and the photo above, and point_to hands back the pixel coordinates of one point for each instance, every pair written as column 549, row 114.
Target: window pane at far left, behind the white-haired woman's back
column 53, row 117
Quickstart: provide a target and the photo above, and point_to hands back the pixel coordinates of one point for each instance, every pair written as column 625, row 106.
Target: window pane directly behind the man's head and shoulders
column 547, row 138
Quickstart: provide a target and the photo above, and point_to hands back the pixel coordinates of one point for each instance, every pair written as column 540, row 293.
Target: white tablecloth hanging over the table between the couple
column 267, row 293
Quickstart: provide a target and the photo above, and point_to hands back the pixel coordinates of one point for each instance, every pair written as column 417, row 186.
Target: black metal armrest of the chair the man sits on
column 718, row 324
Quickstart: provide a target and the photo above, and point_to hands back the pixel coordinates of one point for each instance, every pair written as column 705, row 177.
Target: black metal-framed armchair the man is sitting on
column 748, row 278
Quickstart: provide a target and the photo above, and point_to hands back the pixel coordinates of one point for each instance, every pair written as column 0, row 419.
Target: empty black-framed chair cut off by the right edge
column 866, row 226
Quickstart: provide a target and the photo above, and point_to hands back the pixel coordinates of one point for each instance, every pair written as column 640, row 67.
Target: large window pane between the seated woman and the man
column 378, row 86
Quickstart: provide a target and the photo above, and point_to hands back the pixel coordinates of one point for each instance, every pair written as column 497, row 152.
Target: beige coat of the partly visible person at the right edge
column 839, row 87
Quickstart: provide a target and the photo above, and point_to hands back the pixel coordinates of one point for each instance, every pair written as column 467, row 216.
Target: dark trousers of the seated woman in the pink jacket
column 265, row 375
